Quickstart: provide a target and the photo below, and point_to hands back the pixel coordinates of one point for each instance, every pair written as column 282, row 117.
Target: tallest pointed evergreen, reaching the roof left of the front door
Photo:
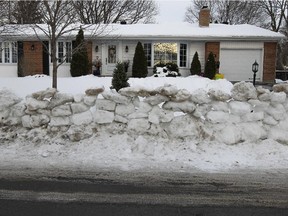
column 79, row 63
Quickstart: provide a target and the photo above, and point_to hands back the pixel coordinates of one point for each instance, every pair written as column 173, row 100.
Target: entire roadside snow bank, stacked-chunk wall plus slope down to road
column 167, row 124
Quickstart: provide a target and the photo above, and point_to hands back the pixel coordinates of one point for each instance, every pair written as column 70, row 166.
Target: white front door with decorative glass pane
column 111, row 59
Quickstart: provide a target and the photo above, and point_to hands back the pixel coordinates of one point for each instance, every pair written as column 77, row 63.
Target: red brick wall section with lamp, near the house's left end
column 32, row 62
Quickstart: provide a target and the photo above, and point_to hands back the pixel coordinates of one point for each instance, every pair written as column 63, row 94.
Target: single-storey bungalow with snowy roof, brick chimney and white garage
column 236, row 47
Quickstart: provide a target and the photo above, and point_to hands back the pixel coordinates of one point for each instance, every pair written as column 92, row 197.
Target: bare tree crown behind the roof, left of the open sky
column 103, row 11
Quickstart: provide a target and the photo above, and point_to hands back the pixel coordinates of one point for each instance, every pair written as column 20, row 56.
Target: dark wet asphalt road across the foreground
column 143, row 193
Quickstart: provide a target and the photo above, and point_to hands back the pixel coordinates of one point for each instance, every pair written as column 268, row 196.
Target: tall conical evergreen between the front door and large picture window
column 139, row 67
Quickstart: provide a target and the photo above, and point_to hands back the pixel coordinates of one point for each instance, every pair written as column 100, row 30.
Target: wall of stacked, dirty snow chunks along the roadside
column 247, row 114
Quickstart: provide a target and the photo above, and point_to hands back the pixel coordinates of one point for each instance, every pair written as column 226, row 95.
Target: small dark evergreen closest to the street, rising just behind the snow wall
column 119, row 79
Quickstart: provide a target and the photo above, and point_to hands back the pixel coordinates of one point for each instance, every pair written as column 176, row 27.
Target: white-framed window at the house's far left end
column 8, row 52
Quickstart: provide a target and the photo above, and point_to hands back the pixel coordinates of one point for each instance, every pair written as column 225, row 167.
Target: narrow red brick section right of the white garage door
column 269, row 67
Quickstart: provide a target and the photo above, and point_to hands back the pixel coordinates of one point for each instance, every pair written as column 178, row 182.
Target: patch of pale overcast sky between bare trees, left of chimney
column 172, row 10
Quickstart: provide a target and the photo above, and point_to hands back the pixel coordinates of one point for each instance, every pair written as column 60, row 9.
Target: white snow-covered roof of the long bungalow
column 168, row 31
